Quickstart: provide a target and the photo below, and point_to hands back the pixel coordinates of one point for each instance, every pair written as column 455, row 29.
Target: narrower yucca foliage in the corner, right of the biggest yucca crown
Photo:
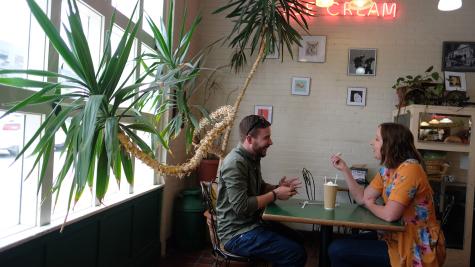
column 168, row 57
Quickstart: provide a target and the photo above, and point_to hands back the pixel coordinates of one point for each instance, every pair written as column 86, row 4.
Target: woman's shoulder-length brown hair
column 398, row 145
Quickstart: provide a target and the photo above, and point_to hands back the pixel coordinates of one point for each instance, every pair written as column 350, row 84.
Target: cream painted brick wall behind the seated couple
column 307, row 129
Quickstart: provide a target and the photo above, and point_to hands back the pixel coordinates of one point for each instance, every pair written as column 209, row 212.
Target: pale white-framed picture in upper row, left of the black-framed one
column 312, row 49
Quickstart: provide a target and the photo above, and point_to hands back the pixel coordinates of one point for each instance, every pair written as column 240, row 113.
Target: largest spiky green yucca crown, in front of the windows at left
column 90, row 111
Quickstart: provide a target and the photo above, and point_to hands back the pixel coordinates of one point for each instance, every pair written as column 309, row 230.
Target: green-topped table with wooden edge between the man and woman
column 348, row 215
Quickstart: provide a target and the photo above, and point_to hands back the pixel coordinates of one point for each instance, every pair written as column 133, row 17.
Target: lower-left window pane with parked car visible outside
column 18, row 198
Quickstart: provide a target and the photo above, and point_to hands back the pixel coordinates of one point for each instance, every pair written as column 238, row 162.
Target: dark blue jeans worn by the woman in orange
column 360, row 250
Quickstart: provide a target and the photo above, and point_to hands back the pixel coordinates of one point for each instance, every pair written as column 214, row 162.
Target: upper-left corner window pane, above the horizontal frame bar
column 21, row 46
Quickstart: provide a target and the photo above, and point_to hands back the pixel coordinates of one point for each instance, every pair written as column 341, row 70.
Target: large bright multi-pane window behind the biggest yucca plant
column 24, row 46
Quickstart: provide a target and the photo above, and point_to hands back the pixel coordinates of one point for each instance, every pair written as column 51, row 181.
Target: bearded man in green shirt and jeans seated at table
column 242, row 195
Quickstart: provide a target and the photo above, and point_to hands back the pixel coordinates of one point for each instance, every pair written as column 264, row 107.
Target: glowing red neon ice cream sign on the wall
column 386, row 10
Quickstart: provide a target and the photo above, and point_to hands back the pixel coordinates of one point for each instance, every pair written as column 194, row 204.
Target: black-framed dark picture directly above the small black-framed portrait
column 362, row 61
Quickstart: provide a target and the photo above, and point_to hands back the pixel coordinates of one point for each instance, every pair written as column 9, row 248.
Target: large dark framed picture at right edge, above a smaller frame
column 458, row 56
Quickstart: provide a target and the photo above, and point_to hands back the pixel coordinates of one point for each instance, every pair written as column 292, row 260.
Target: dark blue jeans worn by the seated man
column 264, row 243
